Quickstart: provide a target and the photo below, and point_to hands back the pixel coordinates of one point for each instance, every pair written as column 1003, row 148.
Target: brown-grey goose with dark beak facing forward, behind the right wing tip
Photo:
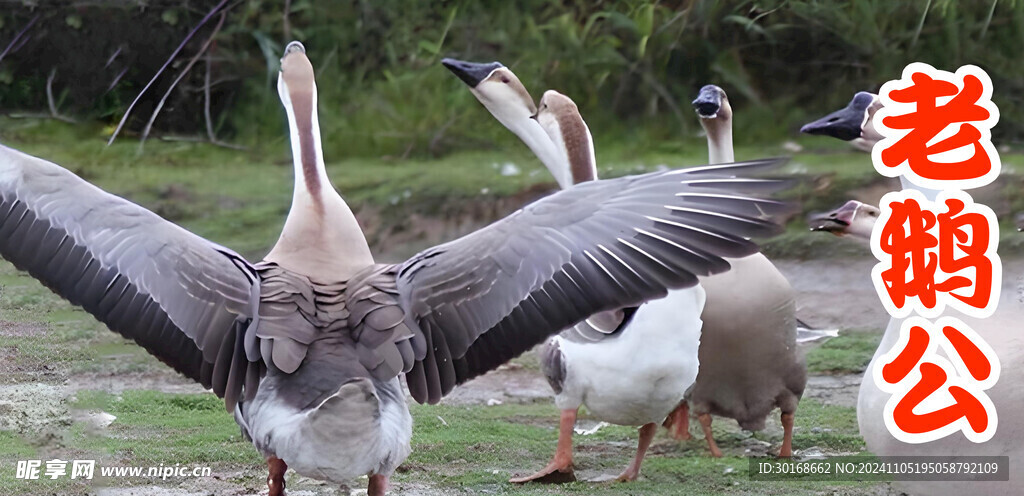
column 749, row 360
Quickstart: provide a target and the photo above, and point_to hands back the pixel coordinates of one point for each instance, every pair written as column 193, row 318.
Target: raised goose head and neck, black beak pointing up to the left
column 498, row 89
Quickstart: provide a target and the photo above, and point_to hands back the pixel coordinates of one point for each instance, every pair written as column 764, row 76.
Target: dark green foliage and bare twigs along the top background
column 631, row 65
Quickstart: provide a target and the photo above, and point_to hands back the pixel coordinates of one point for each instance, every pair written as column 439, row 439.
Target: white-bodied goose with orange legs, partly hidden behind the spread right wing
column 629, row 367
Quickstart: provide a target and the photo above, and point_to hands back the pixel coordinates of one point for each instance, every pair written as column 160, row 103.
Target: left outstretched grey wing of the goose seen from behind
column 189, row 302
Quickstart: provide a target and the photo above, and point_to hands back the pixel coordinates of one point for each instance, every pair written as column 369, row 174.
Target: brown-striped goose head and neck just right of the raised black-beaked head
column 561, row 119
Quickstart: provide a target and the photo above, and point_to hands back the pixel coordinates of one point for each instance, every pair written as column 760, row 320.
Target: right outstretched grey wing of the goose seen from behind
column 479, row 302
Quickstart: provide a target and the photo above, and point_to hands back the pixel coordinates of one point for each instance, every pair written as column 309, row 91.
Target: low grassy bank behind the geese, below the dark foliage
column 240, row 198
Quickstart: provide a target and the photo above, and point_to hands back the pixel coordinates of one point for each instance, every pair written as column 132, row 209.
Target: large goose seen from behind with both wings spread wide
column 307, row 346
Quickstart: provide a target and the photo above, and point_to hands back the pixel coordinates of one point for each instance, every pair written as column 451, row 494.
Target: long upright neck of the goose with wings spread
column 322, row 238
